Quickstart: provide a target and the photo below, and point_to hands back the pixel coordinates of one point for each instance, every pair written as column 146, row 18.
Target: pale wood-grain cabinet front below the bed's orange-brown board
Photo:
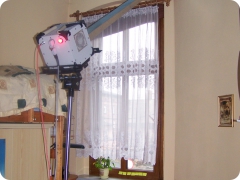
column 25, row 155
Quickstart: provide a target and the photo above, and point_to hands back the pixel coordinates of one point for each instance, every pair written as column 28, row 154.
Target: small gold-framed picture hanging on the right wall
column 225, row 110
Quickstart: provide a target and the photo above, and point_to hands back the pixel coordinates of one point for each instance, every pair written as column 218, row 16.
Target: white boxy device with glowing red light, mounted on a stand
column 70, row 42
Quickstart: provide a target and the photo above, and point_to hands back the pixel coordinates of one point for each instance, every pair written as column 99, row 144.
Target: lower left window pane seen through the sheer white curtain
column 111, row 103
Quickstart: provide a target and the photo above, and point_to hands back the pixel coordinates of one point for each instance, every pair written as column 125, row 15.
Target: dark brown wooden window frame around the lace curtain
column 157, row 173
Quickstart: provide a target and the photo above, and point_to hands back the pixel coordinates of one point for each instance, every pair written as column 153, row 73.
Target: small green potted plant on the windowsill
column 104, row 165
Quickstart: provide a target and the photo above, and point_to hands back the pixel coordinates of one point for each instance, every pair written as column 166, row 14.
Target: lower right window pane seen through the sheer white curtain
column 142, row 117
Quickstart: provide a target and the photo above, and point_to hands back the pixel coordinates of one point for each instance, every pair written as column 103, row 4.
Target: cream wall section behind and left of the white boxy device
column 20, row 21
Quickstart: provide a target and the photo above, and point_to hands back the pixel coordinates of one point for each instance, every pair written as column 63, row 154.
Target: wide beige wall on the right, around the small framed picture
column 207, row 46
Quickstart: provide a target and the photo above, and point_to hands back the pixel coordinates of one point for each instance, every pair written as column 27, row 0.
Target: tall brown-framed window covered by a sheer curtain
column 124, row 85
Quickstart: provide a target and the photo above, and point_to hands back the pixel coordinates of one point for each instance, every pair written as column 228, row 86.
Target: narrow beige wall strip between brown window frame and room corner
column 169, row 92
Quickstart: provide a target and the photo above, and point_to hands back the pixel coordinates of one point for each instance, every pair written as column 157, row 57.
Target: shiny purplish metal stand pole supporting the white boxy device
column 68, row 131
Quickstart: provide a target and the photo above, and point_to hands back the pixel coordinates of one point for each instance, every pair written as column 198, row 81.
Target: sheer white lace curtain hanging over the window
column 117, row 106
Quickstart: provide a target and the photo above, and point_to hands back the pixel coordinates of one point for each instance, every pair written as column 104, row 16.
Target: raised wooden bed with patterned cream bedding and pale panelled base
column 22, row 93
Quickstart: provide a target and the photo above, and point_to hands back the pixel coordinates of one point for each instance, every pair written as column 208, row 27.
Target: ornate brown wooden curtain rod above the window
column 107, row 10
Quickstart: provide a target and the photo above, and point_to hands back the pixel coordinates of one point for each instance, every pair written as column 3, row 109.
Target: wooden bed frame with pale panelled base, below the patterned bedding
column 23, row 132
